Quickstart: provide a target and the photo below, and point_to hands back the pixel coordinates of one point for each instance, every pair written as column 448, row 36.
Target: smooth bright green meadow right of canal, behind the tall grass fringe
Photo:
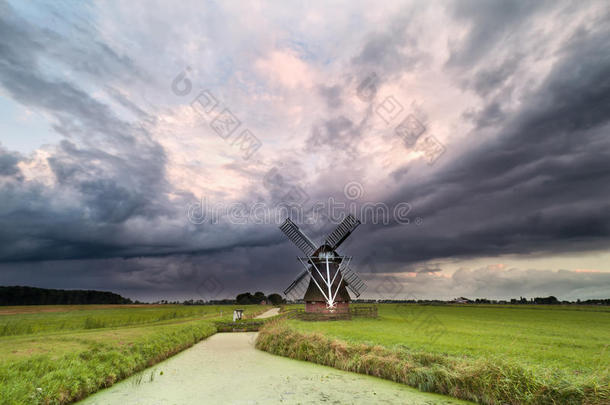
column 571, row 339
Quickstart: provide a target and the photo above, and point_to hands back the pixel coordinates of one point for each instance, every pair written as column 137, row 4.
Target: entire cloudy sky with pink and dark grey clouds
column 148, row 148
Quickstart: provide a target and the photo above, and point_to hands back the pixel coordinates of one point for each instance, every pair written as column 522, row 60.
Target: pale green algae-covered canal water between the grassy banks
column 227, row 369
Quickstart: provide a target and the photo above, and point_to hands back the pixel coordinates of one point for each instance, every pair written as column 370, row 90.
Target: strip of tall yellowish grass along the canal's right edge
column 491, row 381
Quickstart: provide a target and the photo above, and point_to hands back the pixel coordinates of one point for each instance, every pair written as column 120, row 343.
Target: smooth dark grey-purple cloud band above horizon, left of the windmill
column 214, row 275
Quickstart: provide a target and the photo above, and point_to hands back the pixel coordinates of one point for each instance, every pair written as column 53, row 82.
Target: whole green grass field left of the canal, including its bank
column 59, row 354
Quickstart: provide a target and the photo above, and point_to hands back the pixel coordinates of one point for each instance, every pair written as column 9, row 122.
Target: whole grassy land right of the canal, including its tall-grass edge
column 487, row 355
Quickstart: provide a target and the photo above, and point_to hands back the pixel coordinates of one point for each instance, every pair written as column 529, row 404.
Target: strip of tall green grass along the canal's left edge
column 43, row 379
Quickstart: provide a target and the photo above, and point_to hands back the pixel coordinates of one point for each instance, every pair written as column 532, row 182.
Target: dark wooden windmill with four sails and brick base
column 327, row 275
